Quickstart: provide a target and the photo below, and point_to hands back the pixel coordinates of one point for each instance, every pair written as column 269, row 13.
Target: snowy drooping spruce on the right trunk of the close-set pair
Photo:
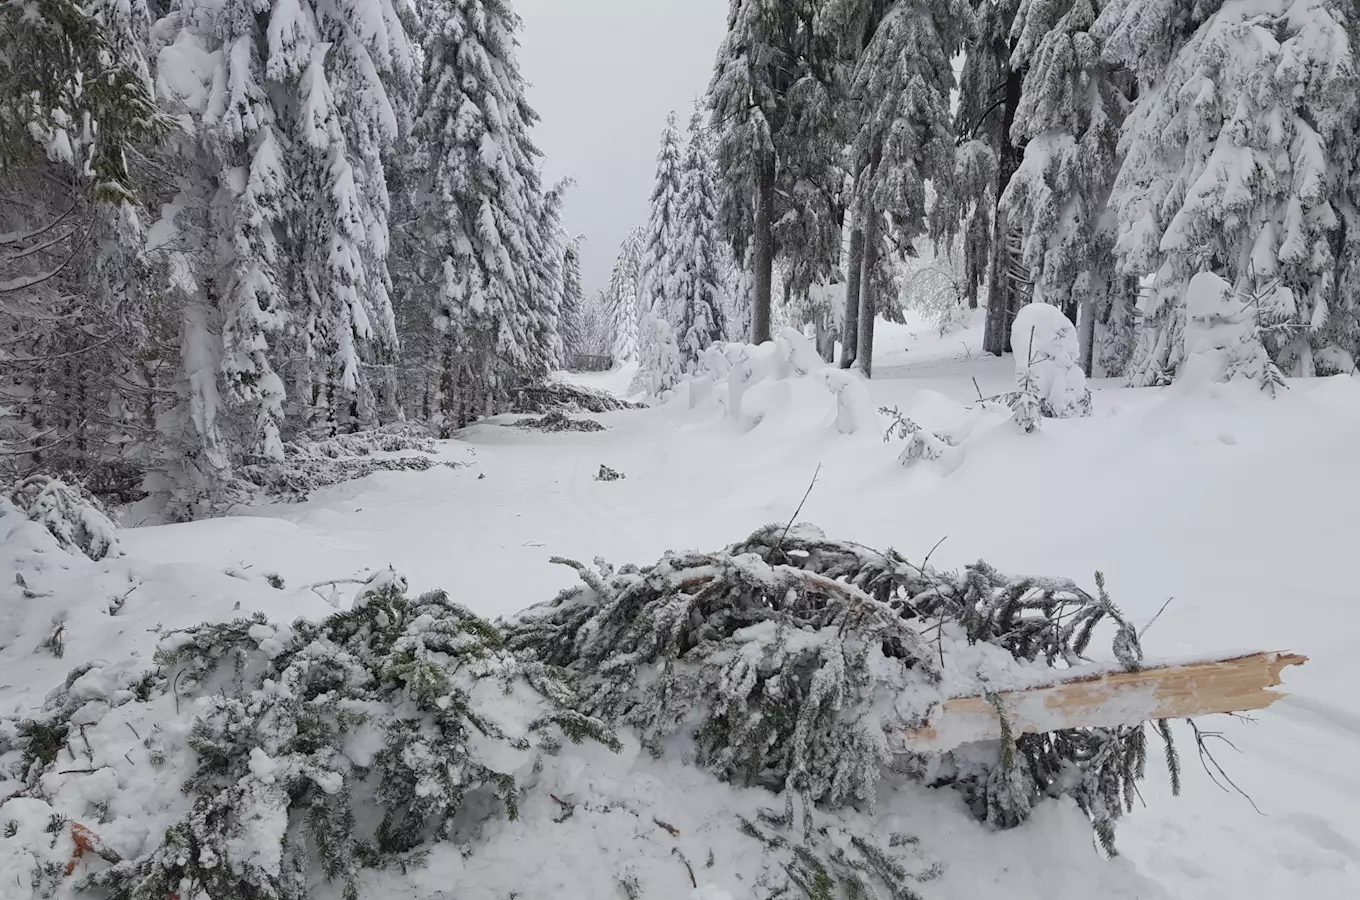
column 905, row 138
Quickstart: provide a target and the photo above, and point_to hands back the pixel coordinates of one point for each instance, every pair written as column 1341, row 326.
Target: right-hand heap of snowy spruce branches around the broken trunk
column 789, row 661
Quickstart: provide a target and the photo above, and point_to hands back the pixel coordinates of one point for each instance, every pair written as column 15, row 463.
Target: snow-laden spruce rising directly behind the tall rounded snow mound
column 1070, row 118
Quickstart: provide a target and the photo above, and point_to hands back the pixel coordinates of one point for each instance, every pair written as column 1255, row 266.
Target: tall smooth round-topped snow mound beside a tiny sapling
column 1048, row 361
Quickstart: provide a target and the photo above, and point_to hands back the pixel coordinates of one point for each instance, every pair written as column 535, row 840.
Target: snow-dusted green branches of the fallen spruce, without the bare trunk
column 788, row 661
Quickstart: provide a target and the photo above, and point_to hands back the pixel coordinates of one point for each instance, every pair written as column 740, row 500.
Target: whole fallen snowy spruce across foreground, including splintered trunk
column 256, row 759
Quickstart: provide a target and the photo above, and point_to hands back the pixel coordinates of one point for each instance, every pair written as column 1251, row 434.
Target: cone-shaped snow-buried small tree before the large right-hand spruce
column 1222, row 341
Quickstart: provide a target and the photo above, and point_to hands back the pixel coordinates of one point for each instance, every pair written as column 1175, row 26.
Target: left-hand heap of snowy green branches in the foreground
column 343, row 744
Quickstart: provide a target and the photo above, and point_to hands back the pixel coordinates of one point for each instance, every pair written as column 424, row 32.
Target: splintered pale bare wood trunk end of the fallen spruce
column 1240, row 685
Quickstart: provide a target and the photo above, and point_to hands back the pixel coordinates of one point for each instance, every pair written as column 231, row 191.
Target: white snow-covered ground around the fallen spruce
column 1240, row 509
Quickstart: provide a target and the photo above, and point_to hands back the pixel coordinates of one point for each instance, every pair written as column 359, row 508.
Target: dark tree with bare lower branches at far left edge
column 74, row 281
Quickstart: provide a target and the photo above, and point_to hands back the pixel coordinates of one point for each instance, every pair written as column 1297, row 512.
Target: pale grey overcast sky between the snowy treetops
column 603, row 75
